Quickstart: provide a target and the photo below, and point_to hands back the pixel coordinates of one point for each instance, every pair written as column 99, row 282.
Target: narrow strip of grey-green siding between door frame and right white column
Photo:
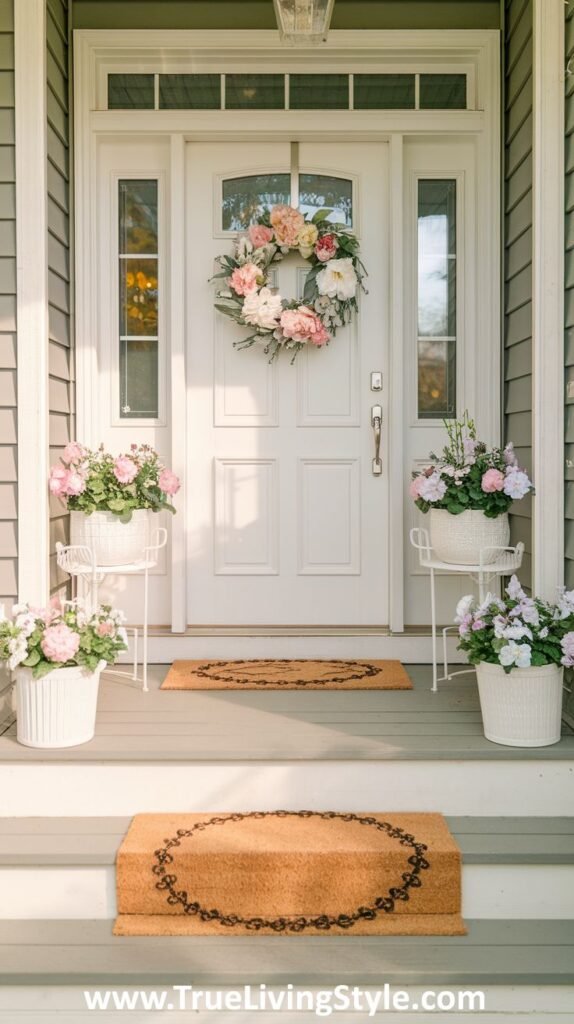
column 518, row 255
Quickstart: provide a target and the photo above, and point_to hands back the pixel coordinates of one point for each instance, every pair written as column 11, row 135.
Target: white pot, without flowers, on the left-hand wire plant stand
column 113, row 542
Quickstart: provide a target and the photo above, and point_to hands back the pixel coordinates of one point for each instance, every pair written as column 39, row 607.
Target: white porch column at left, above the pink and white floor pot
column 32, row 298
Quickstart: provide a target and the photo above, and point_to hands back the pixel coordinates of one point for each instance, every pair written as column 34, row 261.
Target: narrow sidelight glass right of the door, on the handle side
column 437, row 298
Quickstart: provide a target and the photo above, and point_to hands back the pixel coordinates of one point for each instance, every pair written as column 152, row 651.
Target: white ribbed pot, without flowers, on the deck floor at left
column 58, row 710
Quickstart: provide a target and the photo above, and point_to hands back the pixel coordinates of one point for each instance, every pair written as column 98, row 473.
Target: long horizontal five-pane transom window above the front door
column 417, row 92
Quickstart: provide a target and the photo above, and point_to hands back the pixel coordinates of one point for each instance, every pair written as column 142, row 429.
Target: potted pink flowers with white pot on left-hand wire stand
column 112, row 498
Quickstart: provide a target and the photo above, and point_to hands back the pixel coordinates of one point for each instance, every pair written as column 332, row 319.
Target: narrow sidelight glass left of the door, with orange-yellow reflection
column 139, row 270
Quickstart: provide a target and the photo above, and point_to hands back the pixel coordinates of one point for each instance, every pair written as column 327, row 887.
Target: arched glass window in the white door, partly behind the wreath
column 244, row 199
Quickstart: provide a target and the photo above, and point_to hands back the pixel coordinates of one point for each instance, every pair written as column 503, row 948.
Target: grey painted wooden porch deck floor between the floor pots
column 223, row 727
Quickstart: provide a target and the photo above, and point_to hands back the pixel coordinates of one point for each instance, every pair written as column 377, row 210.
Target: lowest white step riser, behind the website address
column 505, row 1005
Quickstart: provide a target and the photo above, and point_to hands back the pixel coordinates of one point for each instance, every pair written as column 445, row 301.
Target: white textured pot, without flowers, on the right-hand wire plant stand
column 460, row 539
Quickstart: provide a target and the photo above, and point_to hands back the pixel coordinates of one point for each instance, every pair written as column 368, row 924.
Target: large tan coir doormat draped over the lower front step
column 289, row 873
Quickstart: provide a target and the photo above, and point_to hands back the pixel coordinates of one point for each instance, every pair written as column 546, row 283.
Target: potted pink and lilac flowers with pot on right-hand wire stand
column 468, row 493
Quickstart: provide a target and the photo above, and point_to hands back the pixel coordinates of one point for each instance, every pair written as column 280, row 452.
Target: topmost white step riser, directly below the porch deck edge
column 458, row 788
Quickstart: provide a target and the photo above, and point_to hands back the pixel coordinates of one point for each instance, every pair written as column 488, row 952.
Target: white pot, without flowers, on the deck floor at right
column 522, row 708
